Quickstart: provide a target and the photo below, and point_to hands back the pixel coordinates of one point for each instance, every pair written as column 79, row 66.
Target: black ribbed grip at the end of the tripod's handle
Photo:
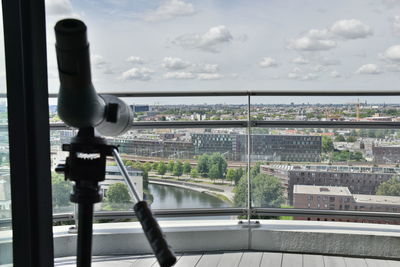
column 154, row 234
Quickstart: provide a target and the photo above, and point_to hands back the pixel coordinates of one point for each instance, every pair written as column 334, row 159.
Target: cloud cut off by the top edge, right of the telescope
column 169, row 10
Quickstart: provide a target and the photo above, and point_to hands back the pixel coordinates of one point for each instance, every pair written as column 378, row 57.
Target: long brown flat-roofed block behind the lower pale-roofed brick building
column 359, row 179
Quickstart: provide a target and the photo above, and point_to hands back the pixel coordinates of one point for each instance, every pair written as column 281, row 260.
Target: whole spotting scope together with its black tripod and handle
column 79, row 106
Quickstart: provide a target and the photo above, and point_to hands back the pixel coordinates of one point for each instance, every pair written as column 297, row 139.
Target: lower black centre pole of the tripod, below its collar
column 85, row 231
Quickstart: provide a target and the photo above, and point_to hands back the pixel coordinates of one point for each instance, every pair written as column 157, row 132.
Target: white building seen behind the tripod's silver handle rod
column 113, row 175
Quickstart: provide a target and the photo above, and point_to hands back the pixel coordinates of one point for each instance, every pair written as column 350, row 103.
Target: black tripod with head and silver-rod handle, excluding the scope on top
column 86, row 166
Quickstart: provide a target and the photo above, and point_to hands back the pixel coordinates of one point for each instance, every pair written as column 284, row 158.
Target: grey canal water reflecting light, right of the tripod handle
column 170, row 197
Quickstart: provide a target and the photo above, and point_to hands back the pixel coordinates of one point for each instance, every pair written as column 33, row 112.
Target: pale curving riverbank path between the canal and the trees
column 222, row 192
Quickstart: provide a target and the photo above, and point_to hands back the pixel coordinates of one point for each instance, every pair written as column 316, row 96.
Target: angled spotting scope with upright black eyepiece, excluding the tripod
column 79, row 105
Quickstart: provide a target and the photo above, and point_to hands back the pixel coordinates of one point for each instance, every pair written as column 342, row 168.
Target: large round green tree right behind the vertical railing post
column 266, row 191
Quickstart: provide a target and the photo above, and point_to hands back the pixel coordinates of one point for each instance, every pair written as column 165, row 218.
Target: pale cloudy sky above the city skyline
column 182, row 45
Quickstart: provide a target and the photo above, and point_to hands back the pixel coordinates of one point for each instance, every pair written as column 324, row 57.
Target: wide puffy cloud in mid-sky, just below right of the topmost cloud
column 208, row 42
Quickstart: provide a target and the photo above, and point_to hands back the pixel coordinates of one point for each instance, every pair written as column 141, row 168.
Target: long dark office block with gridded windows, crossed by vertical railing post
column 300, row 148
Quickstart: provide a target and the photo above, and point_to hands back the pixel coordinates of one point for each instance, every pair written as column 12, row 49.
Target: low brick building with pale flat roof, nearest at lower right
column 340, row 198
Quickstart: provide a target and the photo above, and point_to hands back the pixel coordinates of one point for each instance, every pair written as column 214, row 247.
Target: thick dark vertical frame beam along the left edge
column 28, row 116
